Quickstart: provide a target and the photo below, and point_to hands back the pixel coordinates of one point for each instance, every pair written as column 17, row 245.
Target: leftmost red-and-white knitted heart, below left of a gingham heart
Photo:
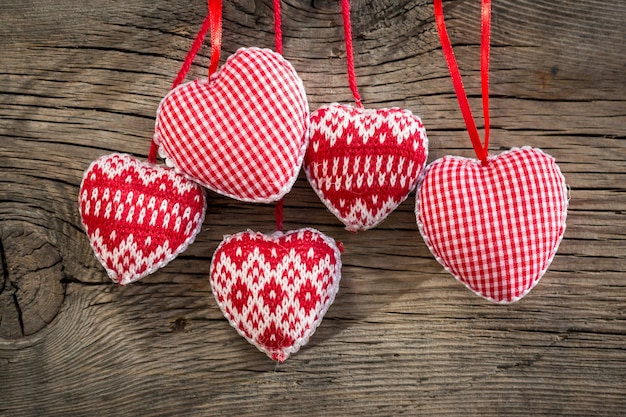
column 138, row 216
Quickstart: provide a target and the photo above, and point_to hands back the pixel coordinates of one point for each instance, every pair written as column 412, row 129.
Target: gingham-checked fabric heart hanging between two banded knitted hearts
column 243, row 132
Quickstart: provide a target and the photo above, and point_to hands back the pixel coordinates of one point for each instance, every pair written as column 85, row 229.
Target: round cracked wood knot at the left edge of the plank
column 31, row 274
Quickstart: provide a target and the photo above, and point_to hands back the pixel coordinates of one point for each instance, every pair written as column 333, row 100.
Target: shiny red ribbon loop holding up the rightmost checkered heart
column 485, row 34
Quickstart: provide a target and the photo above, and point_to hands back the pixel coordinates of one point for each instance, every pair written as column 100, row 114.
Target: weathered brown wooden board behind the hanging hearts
column 82, row 78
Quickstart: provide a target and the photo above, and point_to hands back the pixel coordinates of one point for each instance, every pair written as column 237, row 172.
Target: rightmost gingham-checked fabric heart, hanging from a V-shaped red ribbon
column 496, row 226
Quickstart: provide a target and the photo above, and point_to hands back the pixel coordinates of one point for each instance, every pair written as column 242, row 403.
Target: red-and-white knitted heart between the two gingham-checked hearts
column 363, row 163
